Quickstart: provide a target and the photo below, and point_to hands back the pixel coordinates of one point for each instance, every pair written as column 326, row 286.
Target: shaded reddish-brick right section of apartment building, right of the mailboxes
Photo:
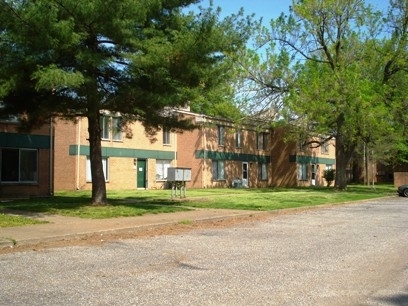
column 223, row 155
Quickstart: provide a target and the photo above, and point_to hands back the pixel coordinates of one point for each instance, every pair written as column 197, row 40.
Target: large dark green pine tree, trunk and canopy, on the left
column 139, row 58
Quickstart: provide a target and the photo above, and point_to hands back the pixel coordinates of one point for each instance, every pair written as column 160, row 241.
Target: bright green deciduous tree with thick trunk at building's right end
column 317, row 71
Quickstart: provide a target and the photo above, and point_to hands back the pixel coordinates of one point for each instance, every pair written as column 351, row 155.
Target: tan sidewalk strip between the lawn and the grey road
column 60, row 227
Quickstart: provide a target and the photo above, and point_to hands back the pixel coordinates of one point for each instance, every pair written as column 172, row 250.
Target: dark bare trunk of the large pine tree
column 95, row 155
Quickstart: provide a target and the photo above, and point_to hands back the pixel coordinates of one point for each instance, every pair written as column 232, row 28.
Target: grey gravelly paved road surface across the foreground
column 346, row 255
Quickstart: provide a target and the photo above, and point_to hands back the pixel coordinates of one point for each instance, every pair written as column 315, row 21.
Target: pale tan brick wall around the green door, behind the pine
column 70, row 170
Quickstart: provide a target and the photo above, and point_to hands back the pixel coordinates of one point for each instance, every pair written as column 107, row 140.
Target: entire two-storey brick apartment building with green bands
column 219, row 154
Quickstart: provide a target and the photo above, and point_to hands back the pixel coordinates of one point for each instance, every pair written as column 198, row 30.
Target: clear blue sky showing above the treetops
column 267, row 9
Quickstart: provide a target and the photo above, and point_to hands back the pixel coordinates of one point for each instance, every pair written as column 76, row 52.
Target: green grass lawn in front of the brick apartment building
column 137, row 202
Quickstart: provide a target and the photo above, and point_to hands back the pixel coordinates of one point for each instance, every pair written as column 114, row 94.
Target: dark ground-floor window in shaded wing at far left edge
column 19, row 165
